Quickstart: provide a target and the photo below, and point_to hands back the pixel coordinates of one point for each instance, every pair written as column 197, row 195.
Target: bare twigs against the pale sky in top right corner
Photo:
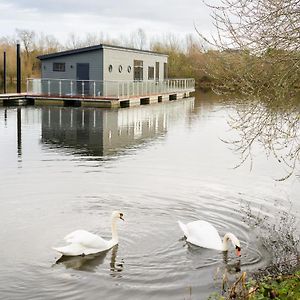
column 257, row 25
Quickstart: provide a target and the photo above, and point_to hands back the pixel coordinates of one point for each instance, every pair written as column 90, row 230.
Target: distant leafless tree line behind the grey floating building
column 186, row 55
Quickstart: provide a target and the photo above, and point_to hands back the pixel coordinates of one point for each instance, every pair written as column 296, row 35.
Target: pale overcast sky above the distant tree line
column 112, row 17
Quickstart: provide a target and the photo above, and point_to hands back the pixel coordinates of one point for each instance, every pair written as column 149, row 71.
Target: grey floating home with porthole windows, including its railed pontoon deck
column 106, row 76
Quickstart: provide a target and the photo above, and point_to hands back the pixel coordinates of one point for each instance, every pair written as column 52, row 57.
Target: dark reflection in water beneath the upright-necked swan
column 89, row 263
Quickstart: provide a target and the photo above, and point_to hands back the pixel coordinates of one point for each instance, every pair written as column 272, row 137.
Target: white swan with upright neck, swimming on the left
column 82, row 242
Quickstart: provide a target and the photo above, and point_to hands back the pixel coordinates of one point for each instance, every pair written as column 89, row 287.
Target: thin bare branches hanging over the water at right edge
column 273, row 125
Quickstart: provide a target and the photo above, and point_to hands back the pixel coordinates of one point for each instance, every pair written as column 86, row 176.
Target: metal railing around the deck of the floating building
column 96, row 88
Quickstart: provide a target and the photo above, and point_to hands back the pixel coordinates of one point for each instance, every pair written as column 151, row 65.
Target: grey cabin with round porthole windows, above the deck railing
column 105, row 63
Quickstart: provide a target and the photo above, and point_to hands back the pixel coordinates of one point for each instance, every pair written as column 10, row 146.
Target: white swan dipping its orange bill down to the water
column 204, row 234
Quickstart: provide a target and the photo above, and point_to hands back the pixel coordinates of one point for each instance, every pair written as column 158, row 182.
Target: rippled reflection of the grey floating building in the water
column 100, row 132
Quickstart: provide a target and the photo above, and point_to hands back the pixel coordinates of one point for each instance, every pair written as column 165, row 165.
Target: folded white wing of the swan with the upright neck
column 86, row 239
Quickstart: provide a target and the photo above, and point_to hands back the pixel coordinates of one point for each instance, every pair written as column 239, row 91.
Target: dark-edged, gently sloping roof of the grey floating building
column 95, row 47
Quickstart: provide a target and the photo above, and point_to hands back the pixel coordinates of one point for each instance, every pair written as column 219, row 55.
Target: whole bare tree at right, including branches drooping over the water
column 257, row 53
